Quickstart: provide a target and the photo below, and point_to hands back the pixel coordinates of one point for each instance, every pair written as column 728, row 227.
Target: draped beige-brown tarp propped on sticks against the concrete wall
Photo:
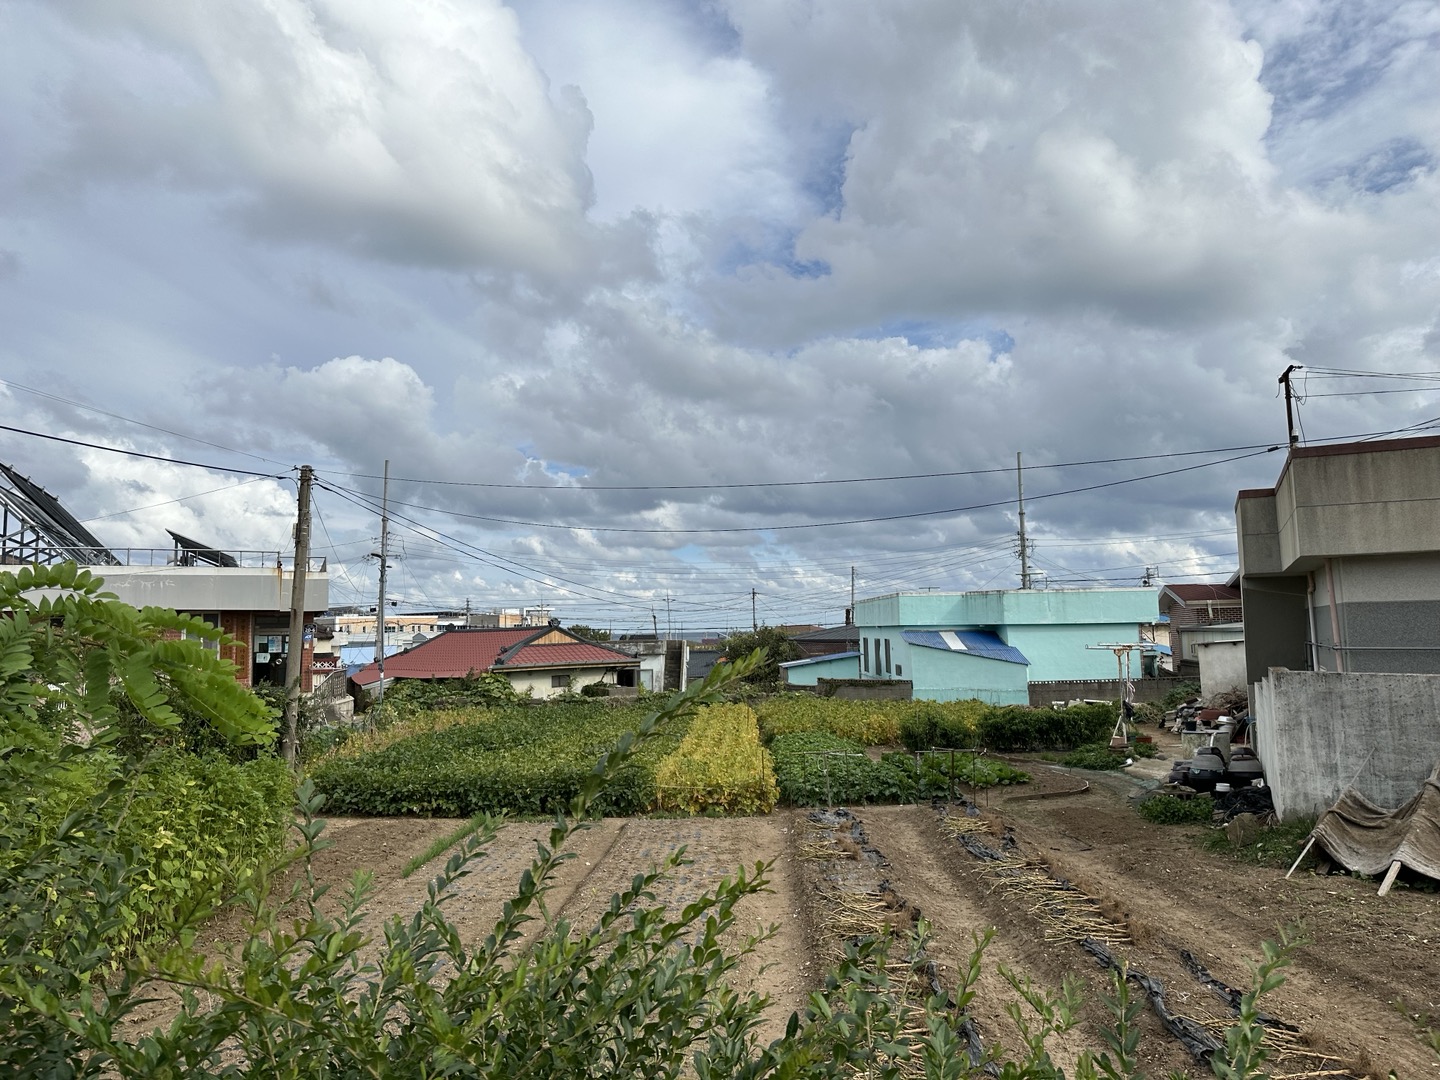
column 1367, row 839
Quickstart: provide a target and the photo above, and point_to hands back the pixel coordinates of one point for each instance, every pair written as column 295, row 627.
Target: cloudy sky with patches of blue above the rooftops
column 685, row 315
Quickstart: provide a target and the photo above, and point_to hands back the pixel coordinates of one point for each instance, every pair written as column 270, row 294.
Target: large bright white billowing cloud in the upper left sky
column 420, row 136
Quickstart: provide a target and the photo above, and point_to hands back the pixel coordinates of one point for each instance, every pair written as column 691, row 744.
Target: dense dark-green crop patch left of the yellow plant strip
column 518, row 760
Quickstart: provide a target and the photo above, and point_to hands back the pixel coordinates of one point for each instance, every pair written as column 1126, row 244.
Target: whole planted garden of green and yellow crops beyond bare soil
column 794, row 750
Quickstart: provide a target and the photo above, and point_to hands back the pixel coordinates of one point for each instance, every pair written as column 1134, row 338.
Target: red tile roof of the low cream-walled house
column 459, row 653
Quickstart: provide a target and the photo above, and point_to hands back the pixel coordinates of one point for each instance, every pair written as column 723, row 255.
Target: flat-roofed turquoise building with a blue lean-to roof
column 993, row 644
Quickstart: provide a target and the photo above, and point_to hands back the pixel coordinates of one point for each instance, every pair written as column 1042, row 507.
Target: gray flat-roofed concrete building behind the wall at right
column 1340, row 562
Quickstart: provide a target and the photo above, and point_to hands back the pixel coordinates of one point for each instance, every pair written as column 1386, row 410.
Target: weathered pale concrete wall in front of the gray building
column 1320, row 732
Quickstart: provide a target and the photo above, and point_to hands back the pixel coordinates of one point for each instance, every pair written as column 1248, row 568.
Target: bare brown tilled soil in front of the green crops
column 1353, row 994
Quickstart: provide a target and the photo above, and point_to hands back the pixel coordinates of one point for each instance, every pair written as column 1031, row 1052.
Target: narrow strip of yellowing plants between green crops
column 719, row 767
